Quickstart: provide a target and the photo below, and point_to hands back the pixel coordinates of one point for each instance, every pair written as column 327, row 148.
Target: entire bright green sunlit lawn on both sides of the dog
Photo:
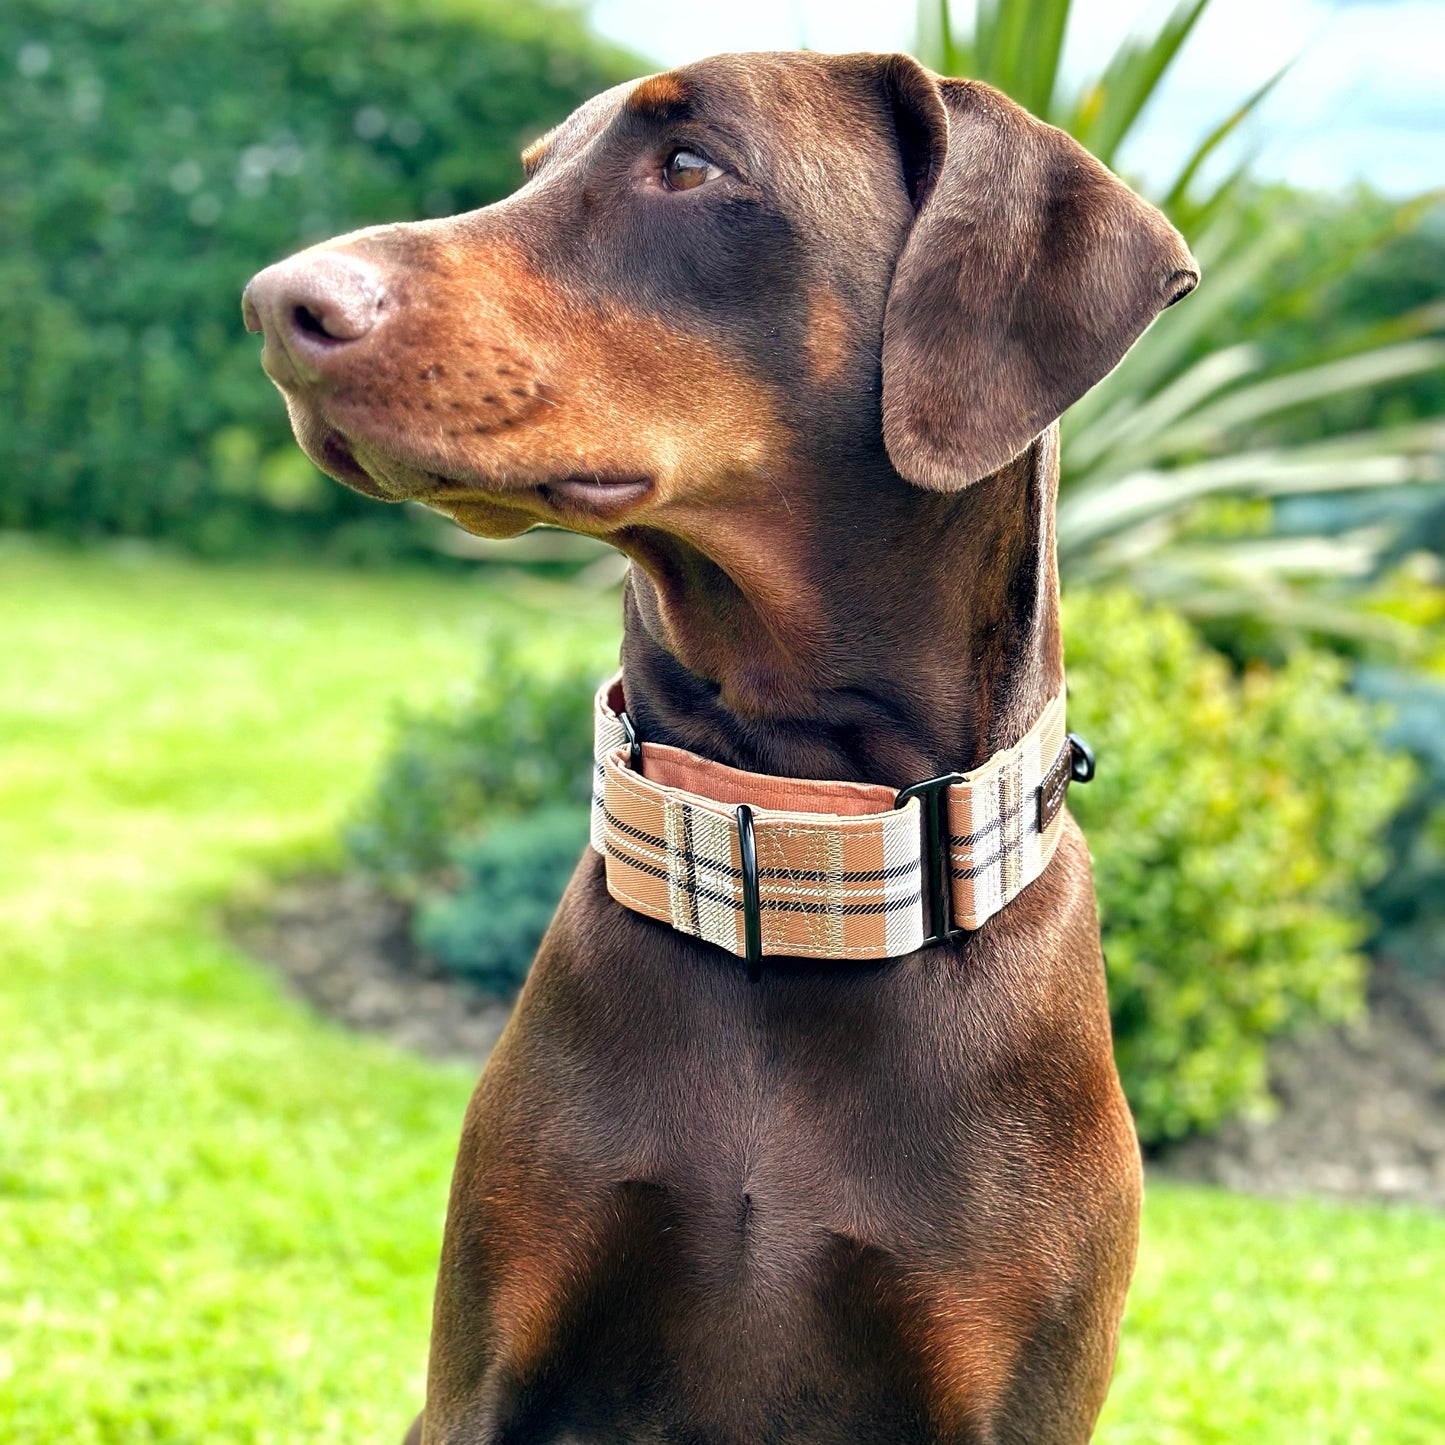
column 220, row 1215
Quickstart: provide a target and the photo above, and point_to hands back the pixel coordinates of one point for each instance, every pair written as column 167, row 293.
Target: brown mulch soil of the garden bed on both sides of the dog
column 1362, row 1109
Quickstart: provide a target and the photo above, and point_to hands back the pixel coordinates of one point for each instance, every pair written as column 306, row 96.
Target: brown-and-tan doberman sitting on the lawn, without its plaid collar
column 793, row 332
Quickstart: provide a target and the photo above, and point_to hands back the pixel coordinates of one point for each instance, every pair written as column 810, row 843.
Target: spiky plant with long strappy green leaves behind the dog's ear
column 1158, row 456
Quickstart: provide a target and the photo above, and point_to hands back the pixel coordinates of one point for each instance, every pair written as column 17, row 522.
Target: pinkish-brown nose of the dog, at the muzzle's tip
column 314, row 307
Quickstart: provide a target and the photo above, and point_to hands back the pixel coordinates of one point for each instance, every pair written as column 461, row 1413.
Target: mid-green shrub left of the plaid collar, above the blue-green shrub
column 518, row 741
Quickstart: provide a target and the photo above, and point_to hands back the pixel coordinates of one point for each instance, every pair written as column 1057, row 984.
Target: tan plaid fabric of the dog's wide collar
column 840, row 869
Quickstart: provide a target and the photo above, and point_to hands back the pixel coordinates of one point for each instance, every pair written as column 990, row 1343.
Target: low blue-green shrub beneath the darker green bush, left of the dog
column 509, row 881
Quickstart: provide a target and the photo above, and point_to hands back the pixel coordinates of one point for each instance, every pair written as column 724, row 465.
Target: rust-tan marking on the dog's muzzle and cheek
column 495, row 372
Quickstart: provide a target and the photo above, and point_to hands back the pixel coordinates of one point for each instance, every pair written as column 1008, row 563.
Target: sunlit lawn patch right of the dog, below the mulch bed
column 1290, row 1324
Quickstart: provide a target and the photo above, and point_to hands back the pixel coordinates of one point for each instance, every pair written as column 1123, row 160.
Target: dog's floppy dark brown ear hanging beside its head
column 1028, row 274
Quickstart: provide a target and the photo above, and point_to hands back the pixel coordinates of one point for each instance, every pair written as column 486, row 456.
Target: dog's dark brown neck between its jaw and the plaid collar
column 889, row 635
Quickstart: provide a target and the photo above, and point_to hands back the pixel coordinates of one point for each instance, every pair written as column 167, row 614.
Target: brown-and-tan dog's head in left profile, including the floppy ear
column 715, row 282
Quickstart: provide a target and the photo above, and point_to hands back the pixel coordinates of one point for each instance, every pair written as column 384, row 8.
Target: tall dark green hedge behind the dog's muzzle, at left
column 152, row 157
